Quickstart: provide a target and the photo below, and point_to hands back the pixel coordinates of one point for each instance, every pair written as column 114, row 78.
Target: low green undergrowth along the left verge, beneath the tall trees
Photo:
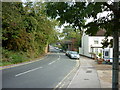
column 14, row 57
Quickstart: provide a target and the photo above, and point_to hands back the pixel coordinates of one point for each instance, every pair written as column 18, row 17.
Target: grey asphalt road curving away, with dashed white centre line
column 45, row 73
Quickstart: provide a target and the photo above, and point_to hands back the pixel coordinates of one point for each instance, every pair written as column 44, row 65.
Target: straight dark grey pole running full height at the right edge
column 115, row 67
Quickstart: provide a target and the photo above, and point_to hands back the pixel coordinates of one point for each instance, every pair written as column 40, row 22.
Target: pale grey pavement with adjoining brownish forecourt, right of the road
column 92, row 75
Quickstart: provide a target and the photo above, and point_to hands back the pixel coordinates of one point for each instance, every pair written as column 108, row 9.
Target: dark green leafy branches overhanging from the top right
column 76, row 13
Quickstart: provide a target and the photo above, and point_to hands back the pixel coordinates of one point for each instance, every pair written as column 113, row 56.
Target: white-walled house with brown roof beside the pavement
column 92, row 44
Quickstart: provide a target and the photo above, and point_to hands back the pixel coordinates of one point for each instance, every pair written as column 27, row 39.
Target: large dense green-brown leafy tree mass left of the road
column 26, row 27
